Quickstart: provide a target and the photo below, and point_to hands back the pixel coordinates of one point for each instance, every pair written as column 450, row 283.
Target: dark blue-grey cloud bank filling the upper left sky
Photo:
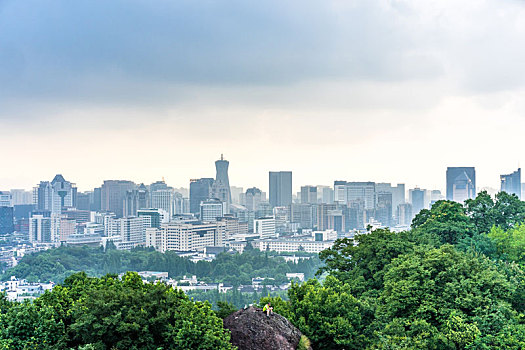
column 133, row 50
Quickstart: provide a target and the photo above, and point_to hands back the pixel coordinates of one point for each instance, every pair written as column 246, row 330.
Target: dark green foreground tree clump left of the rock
column 111, row 313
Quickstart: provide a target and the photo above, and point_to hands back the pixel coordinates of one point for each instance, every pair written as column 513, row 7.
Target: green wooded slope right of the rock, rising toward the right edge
column 454, row 281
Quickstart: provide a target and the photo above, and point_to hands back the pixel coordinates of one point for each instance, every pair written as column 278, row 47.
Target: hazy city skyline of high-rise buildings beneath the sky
column 211, row 213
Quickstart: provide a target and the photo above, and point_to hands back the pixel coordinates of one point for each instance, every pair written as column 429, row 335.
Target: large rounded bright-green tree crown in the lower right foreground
column 456, row 297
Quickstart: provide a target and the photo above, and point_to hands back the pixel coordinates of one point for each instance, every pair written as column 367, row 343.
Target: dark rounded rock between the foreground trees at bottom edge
column 252, row 329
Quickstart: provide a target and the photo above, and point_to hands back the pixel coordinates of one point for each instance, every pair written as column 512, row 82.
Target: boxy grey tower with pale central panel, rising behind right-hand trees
column 461, row 183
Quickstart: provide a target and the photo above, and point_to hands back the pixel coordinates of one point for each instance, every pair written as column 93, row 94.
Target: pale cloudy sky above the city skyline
column 371, row 90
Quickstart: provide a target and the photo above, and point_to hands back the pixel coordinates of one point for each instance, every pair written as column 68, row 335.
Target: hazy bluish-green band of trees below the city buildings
column 57, row 264
